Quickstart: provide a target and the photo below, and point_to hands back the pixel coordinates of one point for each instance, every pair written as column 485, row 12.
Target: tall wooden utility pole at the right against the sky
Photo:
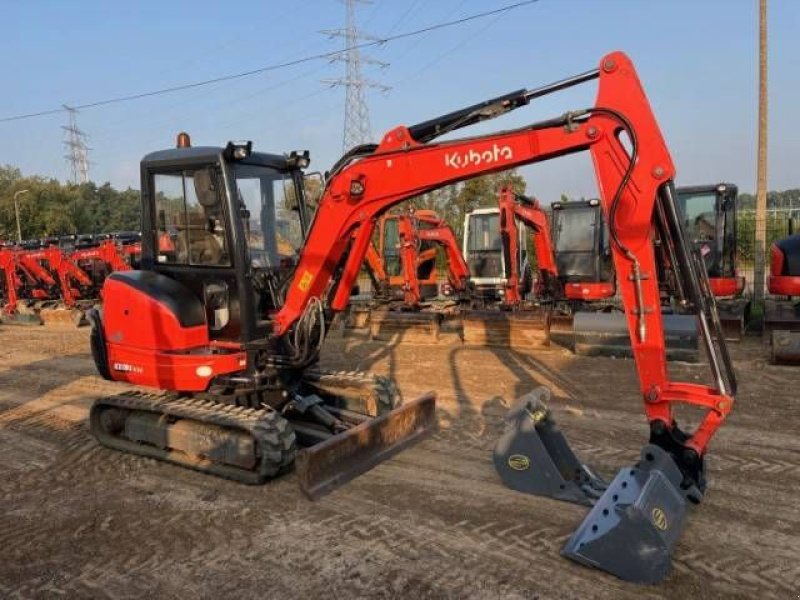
column 761, row 183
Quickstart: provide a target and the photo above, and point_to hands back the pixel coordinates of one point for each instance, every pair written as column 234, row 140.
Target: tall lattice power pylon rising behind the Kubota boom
column 357, row 129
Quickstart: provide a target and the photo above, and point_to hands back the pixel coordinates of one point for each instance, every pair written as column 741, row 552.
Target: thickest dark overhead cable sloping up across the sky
column 379, row 41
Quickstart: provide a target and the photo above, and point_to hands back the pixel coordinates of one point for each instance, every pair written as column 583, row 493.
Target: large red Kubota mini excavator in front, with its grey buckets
column 226, row 329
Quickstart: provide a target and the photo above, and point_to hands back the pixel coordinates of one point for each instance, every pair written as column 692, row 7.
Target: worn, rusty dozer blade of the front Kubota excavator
column 326, row 465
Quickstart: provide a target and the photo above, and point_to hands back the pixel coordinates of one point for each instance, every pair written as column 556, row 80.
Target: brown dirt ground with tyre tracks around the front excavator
column 82, row 521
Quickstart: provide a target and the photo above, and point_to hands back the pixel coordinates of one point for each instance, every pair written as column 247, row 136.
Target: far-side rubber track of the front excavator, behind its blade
column 378, row 394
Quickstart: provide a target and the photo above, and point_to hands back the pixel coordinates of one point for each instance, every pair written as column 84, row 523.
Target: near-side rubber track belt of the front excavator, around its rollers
column 273, row 435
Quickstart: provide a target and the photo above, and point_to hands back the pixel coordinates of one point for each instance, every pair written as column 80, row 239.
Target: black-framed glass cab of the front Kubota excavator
column 227, row 225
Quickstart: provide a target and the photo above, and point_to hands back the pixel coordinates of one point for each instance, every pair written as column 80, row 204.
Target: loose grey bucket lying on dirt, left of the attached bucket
column 534, row 457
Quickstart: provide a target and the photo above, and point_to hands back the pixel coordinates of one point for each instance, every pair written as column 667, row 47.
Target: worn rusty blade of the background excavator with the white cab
column 519, row 328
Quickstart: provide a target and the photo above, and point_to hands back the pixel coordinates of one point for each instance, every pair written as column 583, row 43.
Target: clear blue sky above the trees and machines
column 697, row 60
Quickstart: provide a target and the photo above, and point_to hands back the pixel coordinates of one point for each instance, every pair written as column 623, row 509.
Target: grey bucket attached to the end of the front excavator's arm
column 634, row 526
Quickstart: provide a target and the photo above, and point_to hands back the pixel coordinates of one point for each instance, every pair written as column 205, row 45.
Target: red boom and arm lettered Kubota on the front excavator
column 634, row 172
